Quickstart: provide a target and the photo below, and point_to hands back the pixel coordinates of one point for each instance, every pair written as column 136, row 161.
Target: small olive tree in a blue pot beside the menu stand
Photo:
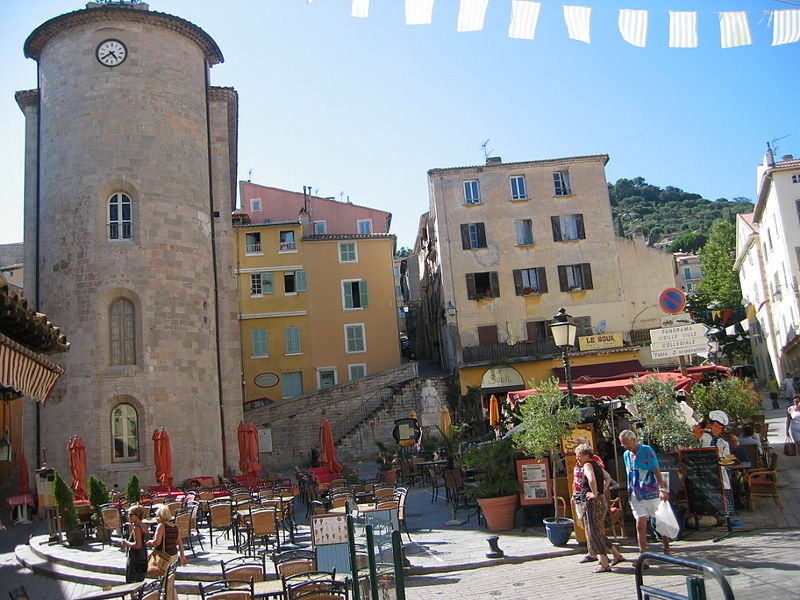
column 546, row 416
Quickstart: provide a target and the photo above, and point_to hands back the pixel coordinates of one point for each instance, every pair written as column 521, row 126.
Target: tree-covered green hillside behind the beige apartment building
column 640, row 208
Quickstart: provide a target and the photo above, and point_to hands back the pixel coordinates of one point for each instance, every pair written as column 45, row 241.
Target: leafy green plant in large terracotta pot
column 496, row 493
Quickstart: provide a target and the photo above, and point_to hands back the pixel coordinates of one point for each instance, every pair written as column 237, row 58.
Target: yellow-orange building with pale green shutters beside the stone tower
column 316, row 310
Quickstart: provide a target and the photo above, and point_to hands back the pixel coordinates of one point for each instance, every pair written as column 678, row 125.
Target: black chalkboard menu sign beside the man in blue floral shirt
column 703, row 481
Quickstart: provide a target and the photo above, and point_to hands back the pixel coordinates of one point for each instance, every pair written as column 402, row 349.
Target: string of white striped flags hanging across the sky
column 734, row 27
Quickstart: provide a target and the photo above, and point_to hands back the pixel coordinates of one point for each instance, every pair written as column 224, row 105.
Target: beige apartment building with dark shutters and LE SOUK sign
column 509, row 244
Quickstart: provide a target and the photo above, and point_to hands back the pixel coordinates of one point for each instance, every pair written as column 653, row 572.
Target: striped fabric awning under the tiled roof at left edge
column 23, row 371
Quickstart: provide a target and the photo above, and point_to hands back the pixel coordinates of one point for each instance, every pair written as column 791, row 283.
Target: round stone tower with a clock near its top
column 130, row 173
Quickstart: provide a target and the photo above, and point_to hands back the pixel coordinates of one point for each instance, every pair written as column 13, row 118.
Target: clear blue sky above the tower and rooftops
column 364, row 107
